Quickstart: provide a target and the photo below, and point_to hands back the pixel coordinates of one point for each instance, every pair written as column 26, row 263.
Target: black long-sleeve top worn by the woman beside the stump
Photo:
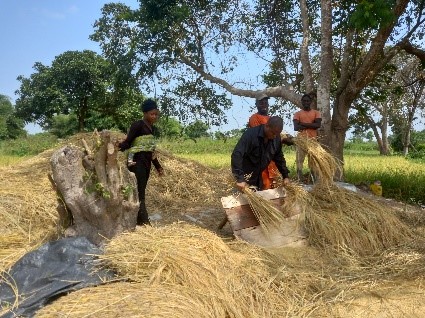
column 140, row 128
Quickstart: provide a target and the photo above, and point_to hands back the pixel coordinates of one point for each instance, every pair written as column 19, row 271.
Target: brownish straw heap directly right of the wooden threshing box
column 344, row 220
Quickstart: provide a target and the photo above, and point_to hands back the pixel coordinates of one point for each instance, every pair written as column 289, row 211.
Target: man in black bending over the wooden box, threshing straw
column 257, row 147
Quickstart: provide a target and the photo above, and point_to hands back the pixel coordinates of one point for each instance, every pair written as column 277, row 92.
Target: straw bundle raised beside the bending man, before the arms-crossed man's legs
column 321, row 162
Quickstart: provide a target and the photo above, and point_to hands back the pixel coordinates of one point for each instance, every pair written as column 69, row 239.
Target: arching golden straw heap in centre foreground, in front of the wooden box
column 183, row 255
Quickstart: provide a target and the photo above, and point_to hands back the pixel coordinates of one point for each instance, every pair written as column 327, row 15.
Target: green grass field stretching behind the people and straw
column 402, row 179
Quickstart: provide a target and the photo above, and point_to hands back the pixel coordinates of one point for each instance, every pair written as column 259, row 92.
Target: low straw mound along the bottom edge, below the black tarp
column 126, row 299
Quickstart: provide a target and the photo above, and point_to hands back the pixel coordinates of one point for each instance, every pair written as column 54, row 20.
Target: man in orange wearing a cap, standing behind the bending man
column 261, row 117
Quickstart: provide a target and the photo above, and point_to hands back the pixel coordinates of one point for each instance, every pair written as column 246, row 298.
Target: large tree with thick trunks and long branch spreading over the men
column 192, row 48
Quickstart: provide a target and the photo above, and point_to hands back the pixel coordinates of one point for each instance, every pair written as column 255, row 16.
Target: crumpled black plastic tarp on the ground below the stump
column 52, row 270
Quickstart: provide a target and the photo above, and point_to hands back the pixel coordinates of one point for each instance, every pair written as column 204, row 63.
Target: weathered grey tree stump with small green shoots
column 97, row 188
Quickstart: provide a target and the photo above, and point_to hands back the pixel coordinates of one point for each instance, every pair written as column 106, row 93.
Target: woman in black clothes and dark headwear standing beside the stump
column 141, row 143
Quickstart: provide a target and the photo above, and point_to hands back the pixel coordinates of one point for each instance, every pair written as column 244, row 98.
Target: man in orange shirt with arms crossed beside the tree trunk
column 306, row 122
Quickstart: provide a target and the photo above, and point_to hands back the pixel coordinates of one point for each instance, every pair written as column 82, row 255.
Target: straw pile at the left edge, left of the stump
column 28, row 214
